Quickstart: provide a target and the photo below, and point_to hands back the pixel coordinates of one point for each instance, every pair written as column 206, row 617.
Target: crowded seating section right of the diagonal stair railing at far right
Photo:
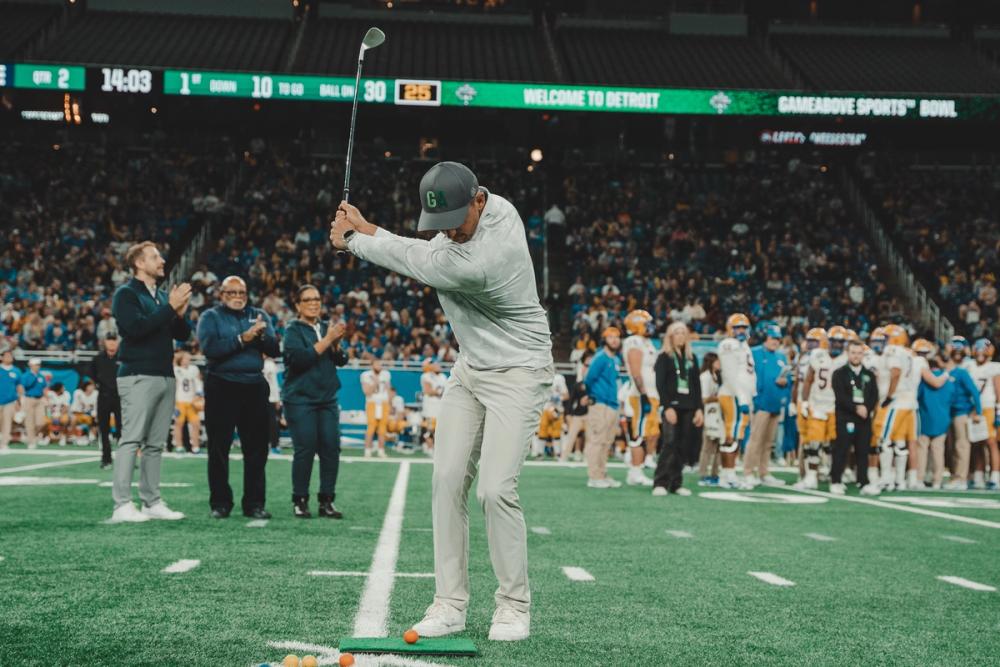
column 947, row 219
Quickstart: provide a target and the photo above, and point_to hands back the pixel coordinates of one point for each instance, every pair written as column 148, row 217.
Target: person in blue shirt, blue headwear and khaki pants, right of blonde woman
column 773, row 391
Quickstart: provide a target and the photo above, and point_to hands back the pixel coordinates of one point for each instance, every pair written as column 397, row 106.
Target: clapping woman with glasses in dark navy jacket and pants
column 312, row 354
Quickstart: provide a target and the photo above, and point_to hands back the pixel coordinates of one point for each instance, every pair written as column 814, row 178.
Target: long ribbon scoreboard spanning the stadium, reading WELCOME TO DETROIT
column 124, row 80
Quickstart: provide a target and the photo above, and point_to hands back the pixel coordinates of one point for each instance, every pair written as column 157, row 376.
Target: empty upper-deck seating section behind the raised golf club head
column 427, row 50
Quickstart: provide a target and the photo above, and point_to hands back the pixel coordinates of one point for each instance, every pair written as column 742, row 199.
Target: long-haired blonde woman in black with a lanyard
column 679, row 387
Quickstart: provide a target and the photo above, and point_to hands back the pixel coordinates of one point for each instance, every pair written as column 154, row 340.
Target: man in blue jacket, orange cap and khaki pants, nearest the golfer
column 602, row 415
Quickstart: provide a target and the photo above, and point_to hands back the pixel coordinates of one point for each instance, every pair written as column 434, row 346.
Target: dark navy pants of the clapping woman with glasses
column 315, row 430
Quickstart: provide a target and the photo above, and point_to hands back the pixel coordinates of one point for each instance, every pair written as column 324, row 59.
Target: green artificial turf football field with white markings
column 75, row 591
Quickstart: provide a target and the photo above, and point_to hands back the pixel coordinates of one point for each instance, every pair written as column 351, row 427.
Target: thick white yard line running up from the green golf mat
column 373, row 609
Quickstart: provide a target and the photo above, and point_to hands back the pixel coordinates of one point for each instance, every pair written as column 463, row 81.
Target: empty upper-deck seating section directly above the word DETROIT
column 653, row 58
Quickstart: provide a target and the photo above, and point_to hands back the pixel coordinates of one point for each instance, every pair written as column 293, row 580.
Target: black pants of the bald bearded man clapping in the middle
column 242, row 406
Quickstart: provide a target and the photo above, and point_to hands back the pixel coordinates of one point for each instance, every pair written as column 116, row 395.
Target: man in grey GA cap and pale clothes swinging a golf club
column 480, row 266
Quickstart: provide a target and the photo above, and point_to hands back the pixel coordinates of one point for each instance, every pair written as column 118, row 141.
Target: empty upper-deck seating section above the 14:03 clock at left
column 172, row 41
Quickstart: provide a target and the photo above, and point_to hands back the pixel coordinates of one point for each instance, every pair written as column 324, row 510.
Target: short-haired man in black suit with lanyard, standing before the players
column 855, row 392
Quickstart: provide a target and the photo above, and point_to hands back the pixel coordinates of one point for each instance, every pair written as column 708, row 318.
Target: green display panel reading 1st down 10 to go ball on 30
column 275, row 86
